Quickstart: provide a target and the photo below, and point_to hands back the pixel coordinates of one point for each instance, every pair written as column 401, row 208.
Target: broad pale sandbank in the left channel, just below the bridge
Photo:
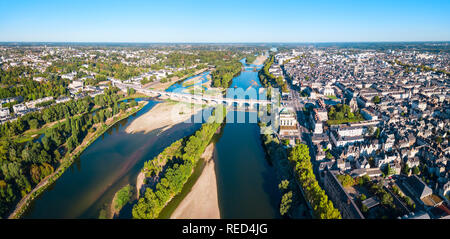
column 163, row 115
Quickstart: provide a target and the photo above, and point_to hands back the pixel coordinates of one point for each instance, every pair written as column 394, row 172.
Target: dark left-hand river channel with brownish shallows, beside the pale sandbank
column 108, row 164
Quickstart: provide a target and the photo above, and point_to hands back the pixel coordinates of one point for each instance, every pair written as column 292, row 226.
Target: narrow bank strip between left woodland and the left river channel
column 67, row 161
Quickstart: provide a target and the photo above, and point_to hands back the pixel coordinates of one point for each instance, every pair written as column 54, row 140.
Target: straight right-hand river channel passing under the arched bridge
column 246, row 183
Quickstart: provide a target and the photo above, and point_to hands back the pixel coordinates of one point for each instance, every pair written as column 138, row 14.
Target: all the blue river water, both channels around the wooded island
column 247, row 185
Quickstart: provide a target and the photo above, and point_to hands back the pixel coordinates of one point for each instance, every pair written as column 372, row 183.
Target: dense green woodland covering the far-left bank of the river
column 24, row 164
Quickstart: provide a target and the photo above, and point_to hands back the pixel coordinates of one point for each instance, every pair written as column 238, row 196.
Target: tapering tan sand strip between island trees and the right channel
column 202, row 201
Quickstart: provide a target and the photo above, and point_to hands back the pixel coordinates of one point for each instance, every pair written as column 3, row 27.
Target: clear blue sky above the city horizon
column 224, row 21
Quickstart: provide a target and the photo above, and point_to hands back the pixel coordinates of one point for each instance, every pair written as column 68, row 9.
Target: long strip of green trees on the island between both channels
column 171, row 169
